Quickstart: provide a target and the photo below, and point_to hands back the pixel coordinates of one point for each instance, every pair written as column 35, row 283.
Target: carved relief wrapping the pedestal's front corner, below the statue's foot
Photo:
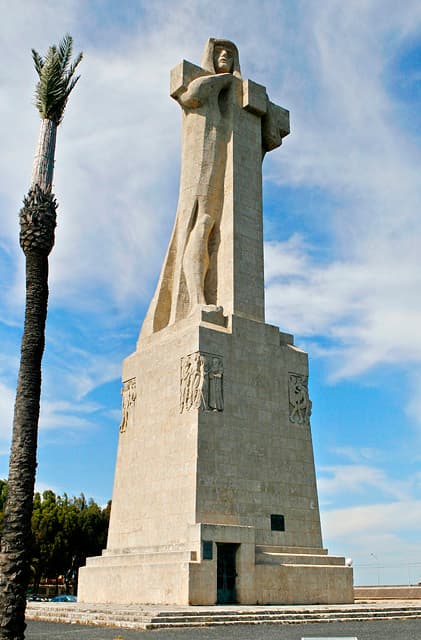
column 201, row 382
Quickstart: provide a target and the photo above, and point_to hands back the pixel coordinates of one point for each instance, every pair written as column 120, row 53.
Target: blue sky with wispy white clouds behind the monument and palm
column 342, row 226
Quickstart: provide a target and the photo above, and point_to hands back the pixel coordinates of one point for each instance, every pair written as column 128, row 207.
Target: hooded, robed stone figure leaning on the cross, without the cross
column 207, row 128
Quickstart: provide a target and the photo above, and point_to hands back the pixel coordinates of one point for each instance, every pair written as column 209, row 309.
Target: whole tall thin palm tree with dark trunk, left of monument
column 37, row 223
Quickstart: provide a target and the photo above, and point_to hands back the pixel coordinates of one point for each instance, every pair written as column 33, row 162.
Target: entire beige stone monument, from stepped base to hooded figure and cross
column 215, row 496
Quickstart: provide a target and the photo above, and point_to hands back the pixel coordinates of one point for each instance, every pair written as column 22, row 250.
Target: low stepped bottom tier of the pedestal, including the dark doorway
column 261, row 574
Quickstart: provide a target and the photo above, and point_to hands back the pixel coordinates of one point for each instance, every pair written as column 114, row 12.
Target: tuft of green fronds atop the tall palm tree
column 56, row 79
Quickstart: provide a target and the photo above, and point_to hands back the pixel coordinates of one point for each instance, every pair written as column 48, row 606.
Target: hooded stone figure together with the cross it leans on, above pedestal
column 215, row 256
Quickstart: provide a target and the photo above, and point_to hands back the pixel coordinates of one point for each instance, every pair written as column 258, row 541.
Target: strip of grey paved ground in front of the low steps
column 376, row 630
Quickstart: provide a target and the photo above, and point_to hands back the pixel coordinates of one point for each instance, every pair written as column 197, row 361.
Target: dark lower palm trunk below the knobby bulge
column 14, row 560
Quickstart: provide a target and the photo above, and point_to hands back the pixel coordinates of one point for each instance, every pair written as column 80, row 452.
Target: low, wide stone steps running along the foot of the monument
column 154, row 617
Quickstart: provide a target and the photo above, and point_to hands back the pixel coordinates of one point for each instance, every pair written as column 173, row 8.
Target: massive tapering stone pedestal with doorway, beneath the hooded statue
column 215, row 497
